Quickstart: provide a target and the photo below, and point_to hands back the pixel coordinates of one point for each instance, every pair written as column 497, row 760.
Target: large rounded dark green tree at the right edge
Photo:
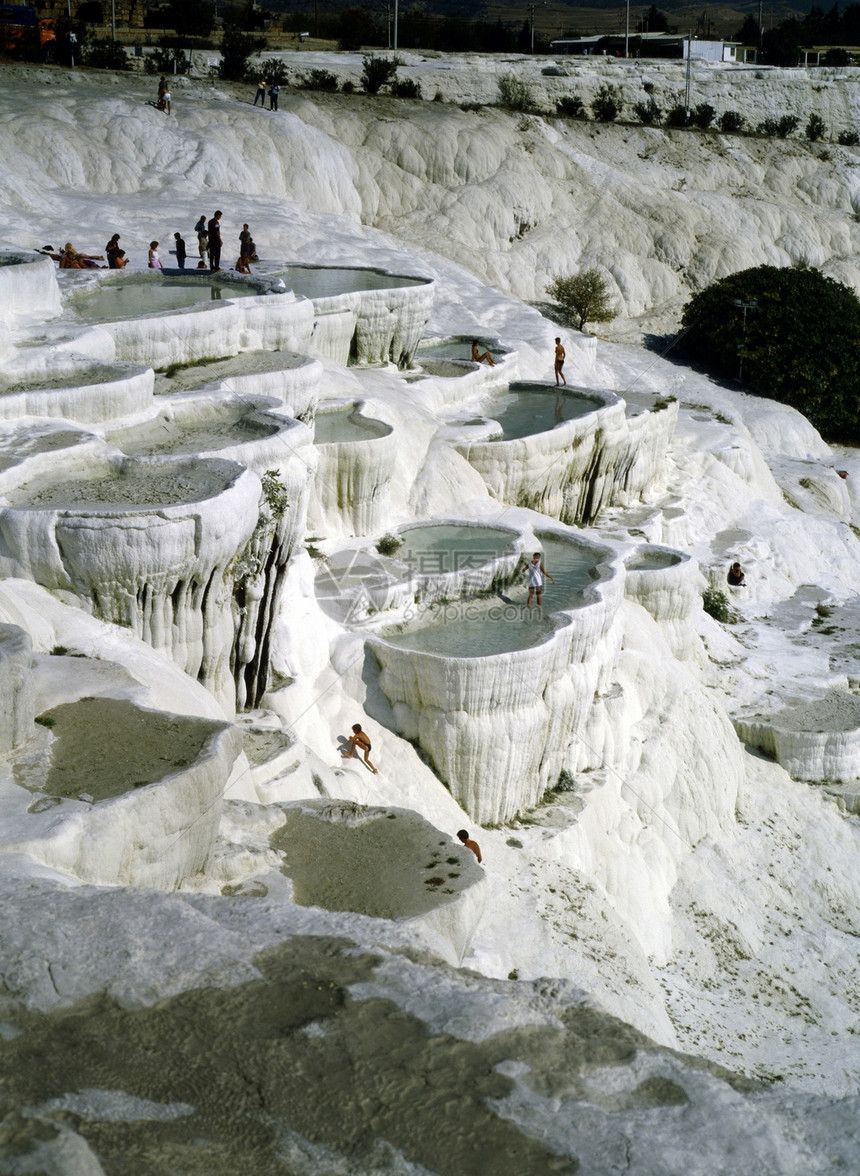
column 801, row 345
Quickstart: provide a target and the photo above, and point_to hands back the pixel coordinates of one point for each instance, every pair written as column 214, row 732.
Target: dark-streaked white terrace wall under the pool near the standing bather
column 582, row 466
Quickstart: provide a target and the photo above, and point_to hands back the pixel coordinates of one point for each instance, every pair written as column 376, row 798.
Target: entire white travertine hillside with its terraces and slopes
column 690, row 888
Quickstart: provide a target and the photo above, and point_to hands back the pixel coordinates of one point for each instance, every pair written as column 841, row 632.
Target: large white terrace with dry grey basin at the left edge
column 164, row 567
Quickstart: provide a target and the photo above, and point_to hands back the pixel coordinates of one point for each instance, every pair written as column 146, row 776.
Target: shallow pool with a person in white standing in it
column 502, row 623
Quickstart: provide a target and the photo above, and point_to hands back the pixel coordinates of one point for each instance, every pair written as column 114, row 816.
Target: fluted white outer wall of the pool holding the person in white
column 497, row 727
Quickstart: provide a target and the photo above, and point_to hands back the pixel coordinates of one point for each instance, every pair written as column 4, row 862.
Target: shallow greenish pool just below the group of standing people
column 117, row 302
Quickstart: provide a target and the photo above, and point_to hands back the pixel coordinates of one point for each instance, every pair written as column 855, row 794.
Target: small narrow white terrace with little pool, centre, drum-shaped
column 354, row 477
